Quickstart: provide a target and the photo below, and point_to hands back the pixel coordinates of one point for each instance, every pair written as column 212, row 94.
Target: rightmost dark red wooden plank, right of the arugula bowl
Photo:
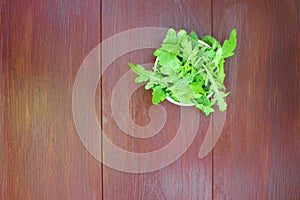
column 257, row 156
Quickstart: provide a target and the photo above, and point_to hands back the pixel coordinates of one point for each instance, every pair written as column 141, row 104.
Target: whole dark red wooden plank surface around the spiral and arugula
column 42, row 45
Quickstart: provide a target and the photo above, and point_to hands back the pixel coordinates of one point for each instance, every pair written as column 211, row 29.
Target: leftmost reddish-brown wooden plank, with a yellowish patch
column 48, row 40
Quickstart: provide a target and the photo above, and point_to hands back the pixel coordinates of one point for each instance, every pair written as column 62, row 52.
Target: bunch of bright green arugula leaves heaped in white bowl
column 189, row 70
